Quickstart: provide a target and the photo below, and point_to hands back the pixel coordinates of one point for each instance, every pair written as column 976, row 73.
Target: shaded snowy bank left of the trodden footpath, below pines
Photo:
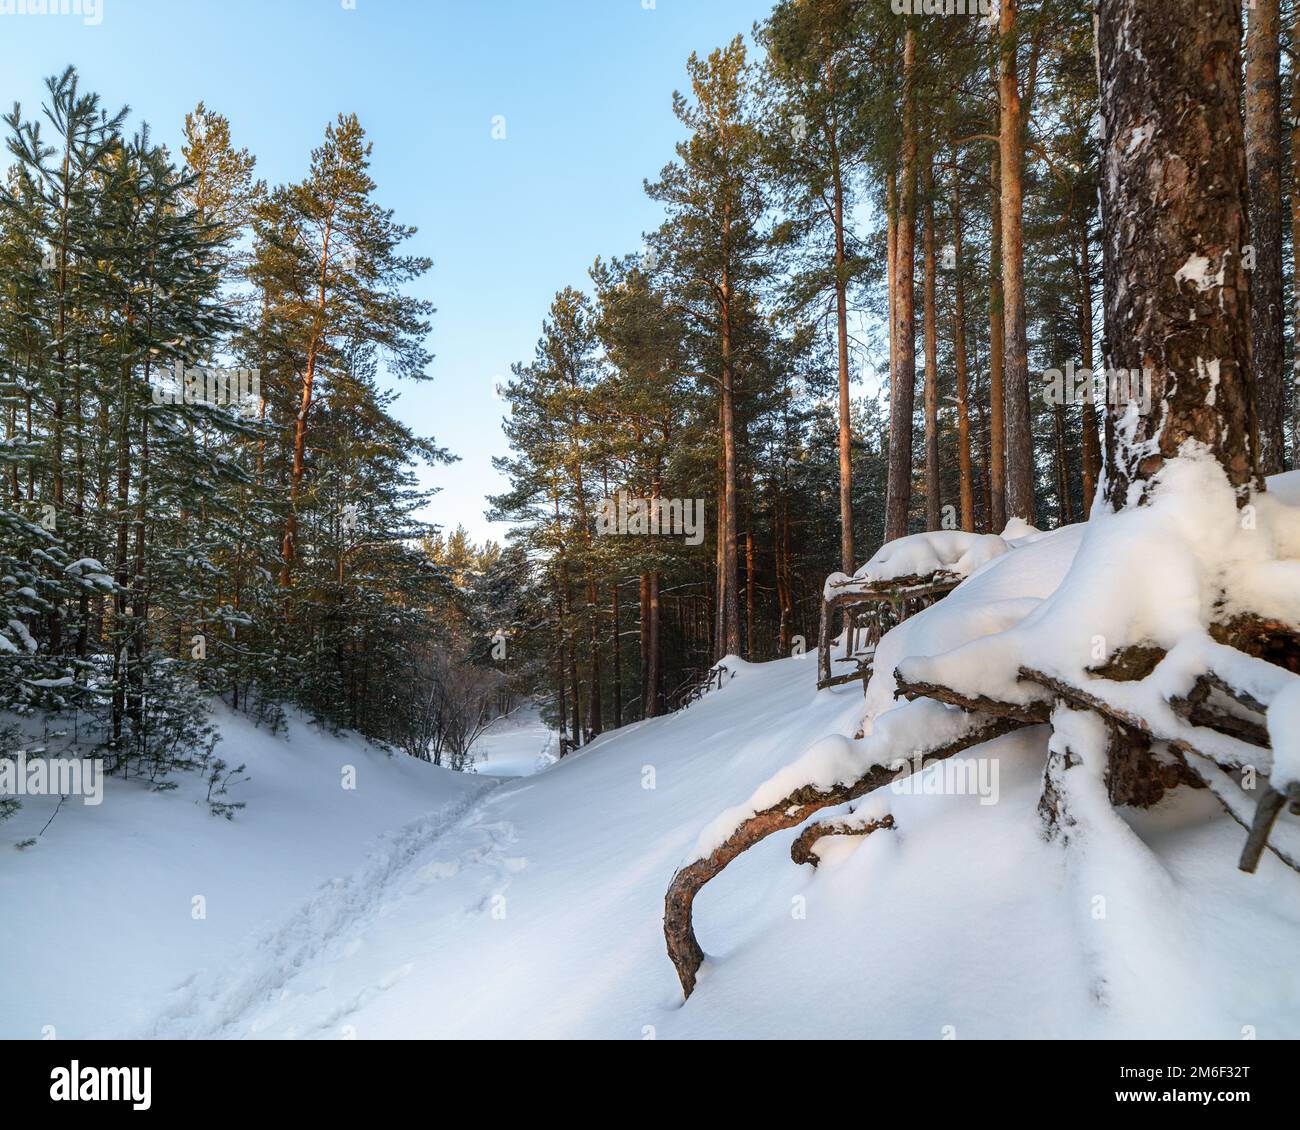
column 99, row 921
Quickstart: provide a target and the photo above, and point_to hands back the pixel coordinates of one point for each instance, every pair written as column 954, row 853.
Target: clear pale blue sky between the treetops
column 586, row 88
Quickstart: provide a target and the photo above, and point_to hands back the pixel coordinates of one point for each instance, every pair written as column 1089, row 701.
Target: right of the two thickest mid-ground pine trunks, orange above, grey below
column 1016, row 366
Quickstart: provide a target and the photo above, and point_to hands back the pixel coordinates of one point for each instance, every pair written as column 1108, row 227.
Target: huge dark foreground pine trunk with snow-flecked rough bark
column 1175, row 215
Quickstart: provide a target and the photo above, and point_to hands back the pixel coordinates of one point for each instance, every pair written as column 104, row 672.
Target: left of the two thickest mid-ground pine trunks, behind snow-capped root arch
column 904, row 378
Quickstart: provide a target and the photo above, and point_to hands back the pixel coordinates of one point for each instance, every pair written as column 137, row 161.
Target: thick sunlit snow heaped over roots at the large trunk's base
column 1155, row 574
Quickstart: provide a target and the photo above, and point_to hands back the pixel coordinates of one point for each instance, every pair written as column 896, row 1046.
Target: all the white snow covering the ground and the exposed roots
column 526, row 899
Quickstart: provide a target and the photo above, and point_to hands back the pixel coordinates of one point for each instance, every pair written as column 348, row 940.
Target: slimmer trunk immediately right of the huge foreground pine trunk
column 1264, row 175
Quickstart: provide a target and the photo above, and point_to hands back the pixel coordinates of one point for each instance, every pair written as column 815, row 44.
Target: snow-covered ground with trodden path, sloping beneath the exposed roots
column 534, row 907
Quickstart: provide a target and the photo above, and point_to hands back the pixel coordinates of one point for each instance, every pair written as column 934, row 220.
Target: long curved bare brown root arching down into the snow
column 790, row 812
